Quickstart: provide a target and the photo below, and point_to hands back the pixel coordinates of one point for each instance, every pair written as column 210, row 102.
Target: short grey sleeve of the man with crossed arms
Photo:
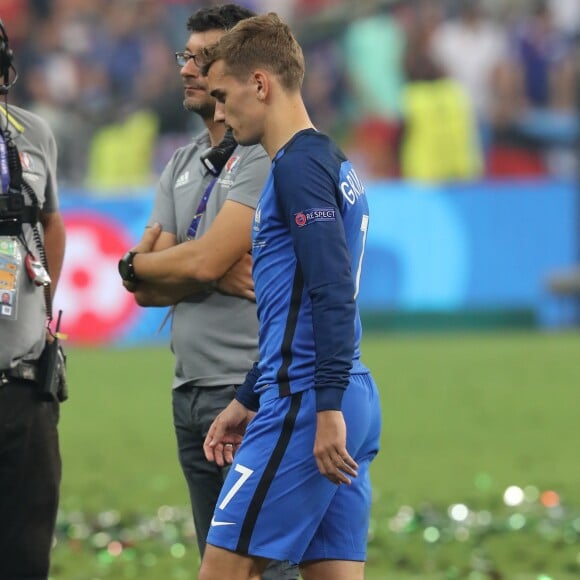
column 254, row 166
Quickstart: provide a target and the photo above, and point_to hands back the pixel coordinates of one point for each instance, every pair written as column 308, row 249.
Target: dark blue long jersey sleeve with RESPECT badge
column 307, row 194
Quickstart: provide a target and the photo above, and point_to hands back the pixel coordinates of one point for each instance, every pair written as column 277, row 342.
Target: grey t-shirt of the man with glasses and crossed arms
column 214, row 337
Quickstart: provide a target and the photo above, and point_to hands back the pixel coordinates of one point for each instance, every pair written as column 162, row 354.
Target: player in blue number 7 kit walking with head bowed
column 308, row 412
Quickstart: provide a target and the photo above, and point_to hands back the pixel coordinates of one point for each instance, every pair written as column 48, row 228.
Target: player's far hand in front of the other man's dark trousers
column 226, row 432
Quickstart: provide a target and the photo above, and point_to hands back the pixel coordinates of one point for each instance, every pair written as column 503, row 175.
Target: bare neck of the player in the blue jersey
column 285, row 120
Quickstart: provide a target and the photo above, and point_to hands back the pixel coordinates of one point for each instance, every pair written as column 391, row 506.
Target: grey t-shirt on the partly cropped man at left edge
column 22, row 329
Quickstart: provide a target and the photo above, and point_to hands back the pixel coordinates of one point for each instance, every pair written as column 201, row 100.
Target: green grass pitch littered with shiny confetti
column 464, row 417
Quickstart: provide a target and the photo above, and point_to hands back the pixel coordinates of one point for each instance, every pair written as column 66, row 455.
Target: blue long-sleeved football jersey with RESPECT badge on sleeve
column 309, row 235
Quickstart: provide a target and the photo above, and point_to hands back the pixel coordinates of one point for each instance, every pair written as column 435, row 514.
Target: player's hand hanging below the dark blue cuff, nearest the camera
column 332, row 458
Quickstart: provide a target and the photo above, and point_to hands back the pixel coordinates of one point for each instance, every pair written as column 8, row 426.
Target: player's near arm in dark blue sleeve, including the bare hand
column 324, row 261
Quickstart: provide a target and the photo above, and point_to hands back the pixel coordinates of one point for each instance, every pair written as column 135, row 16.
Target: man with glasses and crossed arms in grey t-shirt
column 194, row 256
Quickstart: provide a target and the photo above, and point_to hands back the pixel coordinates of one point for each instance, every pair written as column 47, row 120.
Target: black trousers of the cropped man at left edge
column 30, row 474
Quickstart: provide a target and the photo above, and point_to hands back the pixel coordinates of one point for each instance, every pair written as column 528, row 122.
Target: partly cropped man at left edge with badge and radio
column 30, row 462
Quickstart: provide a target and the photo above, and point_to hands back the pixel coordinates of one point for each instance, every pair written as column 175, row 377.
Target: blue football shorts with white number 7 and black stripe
column 276, row 504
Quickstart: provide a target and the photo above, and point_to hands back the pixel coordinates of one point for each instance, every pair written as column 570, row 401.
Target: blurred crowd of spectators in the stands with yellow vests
column 432, row 90
